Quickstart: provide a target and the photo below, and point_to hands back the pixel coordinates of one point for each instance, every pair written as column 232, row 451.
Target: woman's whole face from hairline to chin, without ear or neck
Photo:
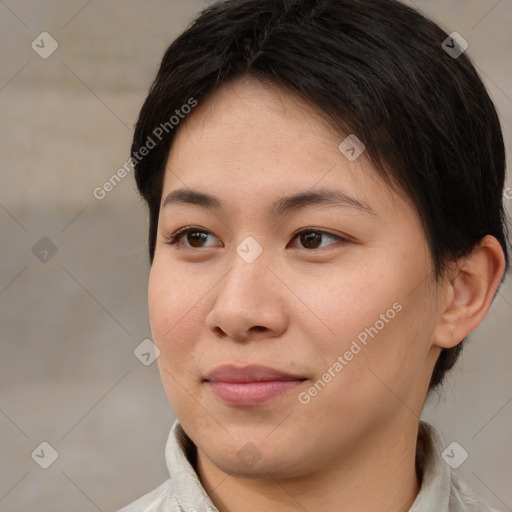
column 347, row 310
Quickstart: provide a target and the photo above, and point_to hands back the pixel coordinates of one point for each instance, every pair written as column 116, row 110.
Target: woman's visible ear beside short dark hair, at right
column 469, row 289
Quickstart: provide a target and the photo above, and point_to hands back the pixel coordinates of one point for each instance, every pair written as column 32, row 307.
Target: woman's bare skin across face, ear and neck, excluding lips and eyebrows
column 297, row 308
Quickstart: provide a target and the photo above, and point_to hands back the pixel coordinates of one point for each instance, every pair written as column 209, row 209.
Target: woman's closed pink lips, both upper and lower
column 249, row 385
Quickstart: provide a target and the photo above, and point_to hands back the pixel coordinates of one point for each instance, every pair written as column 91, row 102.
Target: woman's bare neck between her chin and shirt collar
column 378, row 473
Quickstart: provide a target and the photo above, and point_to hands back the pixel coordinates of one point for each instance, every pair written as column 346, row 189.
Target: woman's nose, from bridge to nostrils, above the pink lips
column 250, row 302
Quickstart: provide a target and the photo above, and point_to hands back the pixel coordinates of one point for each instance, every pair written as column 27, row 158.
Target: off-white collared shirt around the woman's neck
column 441, row 489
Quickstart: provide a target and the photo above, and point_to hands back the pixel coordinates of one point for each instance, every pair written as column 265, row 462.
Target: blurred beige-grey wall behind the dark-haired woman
column 74, row 268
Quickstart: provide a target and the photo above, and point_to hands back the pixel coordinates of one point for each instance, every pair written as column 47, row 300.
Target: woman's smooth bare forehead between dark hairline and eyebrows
column 263, row 140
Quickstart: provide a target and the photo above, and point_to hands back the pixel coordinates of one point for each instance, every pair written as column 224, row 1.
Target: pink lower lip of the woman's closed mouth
column 251, row 393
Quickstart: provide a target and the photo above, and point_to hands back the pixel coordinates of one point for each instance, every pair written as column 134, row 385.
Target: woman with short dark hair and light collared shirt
column 324, row 182
